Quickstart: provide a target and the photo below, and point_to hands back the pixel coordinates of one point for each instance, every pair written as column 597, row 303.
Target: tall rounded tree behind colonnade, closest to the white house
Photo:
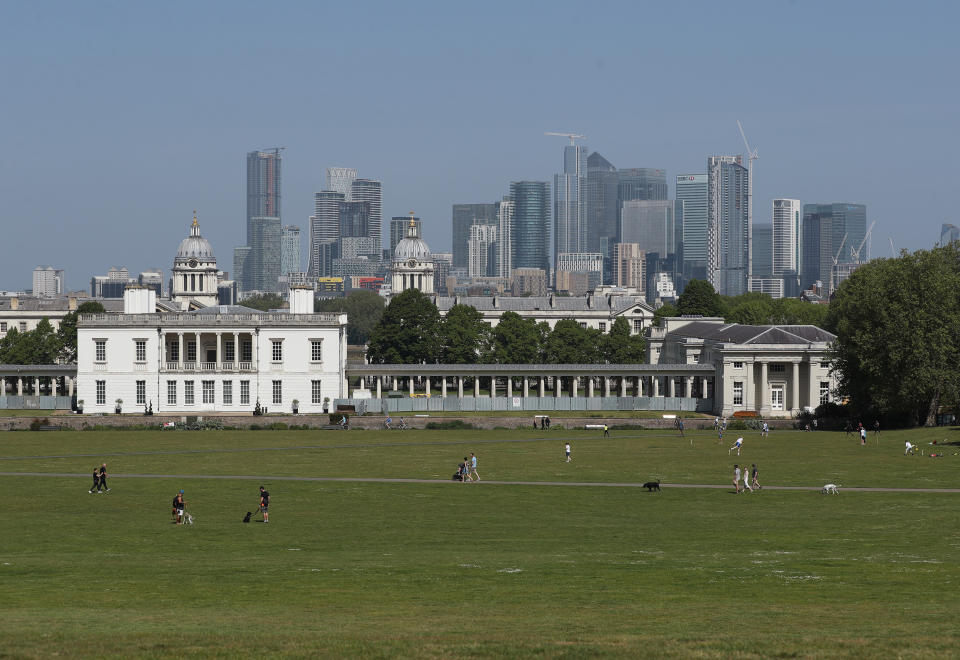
column 408, row 332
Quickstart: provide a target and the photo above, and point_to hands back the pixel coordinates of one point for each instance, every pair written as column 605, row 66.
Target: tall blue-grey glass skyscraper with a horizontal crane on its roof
column 570, row 202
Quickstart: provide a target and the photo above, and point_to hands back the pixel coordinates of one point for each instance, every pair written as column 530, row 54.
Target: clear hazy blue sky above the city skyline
column 119, row 119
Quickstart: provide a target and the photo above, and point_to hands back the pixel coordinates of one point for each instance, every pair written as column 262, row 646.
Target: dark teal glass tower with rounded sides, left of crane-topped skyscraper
column 531, row 225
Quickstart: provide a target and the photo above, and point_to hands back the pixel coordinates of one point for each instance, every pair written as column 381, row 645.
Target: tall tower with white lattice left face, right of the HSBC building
column 728, row 230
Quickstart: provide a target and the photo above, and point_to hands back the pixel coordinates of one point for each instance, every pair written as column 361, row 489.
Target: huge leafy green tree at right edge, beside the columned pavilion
column 897, row 323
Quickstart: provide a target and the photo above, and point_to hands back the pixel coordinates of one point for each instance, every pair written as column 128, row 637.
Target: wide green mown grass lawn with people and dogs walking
column 442, row 569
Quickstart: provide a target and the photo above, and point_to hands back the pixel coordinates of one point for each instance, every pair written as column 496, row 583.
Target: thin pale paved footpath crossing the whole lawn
column 592, row 484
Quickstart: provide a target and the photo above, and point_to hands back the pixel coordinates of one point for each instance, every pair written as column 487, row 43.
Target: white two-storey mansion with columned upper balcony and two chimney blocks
column 218, row 359
